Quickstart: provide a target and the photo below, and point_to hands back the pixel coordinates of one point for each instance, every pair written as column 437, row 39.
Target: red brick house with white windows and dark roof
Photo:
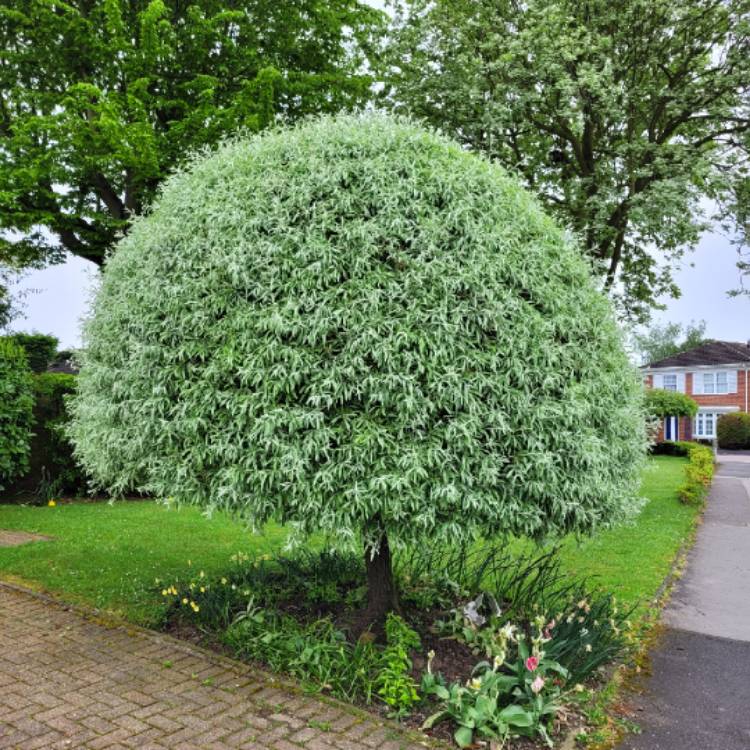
column 714, row 374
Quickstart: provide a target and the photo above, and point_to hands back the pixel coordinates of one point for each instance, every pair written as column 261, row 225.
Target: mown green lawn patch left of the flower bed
column 109, row 555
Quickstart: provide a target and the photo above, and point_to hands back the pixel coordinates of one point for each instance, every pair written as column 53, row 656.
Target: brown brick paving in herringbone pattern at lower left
column 67, row 681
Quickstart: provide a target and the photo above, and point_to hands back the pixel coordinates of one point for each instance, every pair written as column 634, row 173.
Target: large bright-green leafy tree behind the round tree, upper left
column 99, row 99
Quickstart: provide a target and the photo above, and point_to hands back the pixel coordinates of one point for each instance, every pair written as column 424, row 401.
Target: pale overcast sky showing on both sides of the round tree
column 62, row 292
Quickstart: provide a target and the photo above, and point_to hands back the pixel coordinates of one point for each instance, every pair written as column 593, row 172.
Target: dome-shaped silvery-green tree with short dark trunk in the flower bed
column 358, row 328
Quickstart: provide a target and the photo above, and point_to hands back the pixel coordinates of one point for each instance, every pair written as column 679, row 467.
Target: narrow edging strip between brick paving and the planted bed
column 108, row 620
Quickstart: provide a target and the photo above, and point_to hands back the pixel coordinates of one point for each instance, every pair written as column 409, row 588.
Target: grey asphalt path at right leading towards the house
column 698, row 697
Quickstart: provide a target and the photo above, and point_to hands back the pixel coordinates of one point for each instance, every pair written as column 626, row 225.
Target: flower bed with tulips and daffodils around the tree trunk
column 491, row 648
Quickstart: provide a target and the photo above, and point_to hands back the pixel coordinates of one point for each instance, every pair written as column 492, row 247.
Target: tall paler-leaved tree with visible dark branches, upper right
column 622, row 115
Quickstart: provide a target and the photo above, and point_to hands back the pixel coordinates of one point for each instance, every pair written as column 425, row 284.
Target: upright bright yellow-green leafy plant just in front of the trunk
column 395, row 684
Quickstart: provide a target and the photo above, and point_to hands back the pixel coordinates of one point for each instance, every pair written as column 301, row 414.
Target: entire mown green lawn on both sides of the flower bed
column 109, row 556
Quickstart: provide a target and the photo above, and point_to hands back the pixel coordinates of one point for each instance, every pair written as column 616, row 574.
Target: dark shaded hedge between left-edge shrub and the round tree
column 52, row 470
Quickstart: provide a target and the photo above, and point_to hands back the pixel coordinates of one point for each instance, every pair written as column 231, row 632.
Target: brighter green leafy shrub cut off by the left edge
column 16, row 403
